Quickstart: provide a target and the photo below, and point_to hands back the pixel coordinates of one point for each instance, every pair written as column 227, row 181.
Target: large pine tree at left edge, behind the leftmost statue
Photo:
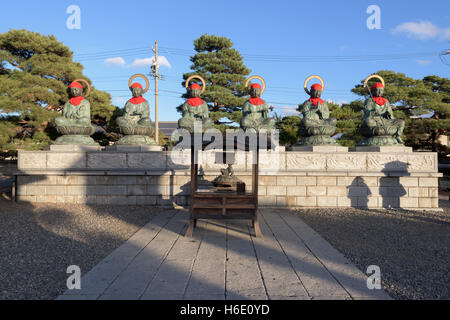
column 35, row 71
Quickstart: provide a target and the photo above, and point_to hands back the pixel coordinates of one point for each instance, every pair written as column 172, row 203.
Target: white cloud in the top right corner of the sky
column 422, row 30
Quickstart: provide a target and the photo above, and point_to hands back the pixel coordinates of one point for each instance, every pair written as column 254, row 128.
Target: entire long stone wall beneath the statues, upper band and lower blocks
column 299, row 179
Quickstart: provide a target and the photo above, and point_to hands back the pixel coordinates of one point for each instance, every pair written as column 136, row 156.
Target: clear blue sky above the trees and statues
column 274, row 37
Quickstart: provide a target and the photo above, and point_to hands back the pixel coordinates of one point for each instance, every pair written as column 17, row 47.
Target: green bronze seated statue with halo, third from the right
column 255, row 111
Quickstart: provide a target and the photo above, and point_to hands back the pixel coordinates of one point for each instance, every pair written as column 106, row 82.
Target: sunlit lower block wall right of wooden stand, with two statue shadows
column 343, row 191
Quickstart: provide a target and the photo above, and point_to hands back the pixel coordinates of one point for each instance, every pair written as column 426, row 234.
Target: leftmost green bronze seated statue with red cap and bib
column 75, row 122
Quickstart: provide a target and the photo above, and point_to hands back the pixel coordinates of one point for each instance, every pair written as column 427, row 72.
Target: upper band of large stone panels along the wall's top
column 271, row 163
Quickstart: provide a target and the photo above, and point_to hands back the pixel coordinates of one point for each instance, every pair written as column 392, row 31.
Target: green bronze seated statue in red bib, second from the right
column 316, row 127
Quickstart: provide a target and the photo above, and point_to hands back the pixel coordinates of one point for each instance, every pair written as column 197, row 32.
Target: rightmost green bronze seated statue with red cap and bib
column 379, row 126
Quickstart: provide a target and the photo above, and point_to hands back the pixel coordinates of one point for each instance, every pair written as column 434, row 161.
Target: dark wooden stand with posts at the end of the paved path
column 212, row 204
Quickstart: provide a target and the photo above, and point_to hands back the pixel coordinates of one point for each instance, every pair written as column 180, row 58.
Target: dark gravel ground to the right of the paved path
column 411, row 248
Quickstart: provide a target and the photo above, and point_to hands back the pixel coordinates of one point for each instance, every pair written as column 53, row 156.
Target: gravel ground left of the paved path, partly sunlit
column 39, row 242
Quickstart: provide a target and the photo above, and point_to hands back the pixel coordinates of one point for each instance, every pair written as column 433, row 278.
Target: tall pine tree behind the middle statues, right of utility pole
column 225, row 74
